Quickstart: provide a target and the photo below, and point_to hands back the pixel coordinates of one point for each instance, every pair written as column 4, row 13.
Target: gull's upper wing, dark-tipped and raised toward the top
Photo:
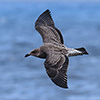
column 45, row 26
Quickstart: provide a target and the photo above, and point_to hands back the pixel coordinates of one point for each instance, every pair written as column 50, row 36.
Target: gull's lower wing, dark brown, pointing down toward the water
column 56, row 68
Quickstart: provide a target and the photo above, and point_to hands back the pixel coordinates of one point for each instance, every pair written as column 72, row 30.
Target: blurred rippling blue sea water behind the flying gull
column 25, row 78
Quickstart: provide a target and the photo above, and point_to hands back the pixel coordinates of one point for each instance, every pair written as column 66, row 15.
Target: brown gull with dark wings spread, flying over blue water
column 53, row 50
